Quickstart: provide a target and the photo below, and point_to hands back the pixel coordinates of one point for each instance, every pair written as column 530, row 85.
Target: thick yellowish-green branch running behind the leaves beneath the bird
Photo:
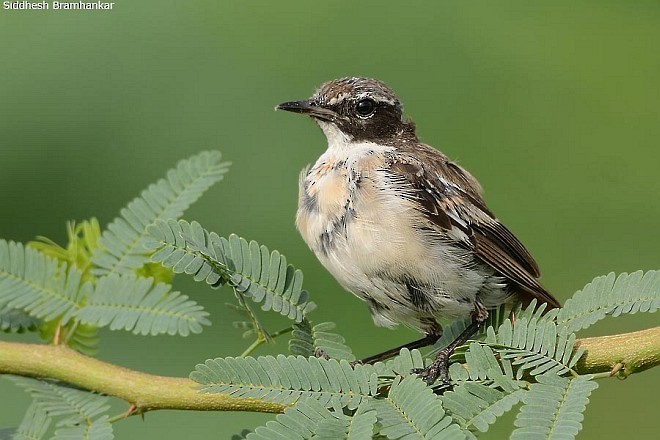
column 625, row 353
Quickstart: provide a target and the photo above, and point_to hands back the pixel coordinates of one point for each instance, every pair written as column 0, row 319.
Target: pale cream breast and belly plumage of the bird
column 363, row 225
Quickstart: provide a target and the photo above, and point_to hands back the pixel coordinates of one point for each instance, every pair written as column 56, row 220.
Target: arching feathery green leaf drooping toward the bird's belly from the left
column 251, row 269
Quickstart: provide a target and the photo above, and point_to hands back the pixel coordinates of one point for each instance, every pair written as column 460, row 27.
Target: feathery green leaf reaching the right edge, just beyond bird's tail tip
column 611, row 295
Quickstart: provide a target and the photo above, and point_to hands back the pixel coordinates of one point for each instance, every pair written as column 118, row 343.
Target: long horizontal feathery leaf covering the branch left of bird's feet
column 286, row 379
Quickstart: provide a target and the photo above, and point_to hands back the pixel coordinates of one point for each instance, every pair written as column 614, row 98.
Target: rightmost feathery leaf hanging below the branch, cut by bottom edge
column 553, row 408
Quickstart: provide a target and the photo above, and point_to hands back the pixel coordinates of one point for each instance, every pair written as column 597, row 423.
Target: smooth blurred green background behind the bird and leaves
column 554, row 106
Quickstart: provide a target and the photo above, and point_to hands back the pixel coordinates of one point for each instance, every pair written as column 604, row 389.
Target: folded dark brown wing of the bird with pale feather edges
column 451, row 198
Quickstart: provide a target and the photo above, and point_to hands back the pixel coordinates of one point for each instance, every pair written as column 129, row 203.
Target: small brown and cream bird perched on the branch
column 400, row 225
